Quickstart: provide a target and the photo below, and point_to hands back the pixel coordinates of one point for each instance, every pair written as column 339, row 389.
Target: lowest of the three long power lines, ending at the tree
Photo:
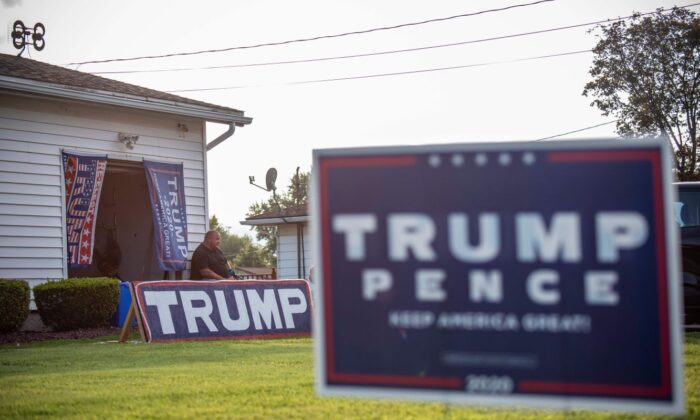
column 369, row 76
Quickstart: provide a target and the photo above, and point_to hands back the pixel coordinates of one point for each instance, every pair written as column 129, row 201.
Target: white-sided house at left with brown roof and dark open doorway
column 45, row 109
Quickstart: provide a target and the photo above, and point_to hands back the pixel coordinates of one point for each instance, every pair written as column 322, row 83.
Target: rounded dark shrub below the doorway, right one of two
column 77, row 303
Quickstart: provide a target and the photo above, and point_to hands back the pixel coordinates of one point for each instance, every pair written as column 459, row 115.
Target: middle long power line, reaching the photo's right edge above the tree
column 342, row 57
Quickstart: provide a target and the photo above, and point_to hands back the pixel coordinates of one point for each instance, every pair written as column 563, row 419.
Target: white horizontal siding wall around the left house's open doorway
column 32, row 133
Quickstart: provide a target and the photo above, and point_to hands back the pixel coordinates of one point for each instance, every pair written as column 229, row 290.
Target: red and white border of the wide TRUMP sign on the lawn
column 140, row 299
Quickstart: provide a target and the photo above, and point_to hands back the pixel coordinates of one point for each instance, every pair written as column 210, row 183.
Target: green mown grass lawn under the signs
column 243, row 379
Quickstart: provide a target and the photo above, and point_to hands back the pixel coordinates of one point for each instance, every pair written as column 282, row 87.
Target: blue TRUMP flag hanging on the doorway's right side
column 166, row 187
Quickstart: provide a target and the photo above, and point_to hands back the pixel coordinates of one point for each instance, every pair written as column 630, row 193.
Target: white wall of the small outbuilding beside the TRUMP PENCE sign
column 287, row 260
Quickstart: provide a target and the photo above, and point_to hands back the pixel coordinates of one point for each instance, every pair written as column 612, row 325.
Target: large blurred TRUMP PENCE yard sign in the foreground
column 528, row 274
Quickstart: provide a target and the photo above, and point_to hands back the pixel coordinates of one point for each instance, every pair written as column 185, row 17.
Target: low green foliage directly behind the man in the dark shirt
column 242, row 251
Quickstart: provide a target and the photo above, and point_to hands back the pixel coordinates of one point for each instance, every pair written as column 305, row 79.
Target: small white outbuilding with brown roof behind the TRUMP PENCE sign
column 294, row 254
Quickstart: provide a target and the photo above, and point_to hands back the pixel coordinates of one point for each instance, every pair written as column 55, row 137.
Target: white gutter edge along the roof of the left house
column 124, row 100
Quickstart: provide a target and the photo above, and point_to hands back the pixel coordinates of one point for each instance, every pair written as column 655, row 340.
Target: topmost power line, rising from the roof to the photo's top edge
column 316, row 38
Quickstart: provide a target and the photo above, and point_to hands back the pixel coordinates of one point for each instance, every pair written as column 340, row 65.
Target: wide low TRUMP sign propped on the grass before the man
column 222, row 309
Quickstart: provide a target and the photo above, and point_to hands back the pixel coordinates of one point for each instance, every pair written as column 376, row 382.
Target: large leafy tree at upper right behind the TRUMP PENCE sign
column 646, row 73
